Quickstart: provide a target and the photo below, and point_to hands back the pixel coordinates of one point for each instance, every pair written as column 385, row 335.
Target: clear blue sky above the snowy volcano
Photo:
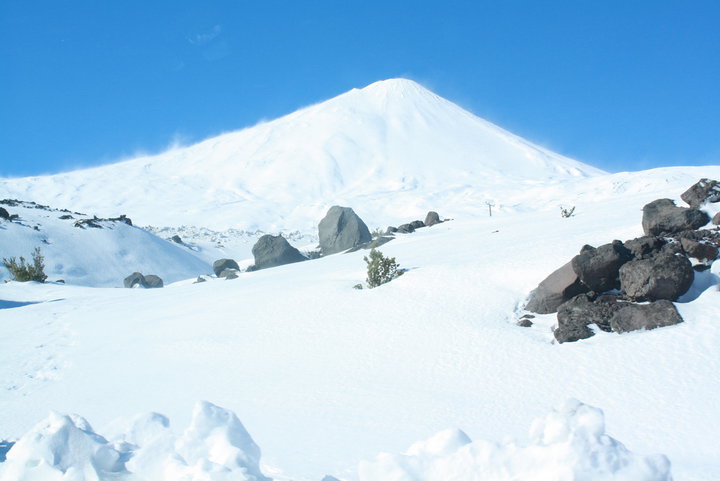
column 619, row 84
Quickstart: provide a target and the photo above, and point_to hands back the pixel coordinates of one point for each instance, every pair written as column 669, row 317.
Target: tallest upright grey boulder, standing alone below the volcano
column 341, row 229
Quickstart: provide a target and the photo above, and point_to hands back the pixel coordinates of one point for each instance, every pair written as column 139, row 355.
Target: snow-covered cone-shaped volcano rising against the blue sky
column 393, row 147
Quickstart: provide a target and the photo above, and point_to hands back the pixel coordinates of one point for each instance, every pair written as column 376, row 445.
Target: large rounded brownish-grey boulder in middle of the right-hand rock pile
column 665, row 276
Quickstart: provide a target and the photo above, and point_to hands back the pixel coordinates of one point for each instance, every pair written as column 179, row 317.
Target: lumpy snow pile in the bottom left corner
column 215, row 447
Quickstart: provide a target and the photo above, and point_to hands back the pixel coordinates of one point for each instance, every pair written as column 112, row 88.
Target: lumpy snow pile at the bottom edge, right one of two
column 567, row 445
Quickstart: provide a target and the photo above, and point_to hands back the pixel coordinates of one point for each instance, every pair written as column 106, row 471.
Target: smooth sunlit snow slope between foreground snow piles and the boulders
column 324, row 375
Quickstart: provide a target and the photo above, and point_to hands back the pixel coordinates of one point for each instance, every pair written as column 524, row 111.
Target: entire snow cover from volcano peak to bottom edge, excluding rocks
column 325, row 376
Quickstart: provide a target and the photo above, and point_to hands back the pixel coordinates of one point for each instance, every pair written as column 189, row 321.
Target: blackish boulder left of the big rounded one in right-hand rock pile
column 599, row 268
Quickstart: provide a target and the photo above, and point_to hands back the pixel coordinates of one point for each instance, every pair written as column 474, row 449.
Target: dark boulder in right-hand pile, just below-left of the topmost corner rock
column 662, row 216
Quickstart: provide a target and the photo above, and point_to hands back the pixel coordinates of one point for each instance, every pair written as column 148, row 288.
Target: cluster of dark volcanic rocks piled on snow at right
column 604, row 285
